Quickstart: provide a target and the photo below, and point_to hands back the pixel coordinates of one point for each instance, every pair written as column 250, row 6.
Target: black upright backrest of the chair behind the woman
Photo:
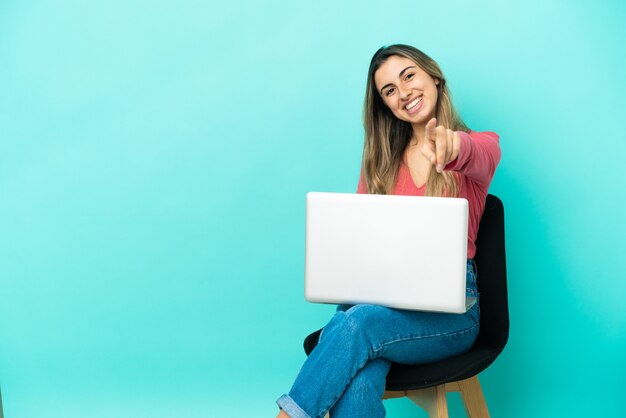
column 491, row 271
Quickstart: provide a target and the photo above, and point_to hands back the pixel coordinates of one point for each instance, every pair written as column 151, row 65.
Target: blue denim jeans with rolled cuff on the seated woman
column 345, row 374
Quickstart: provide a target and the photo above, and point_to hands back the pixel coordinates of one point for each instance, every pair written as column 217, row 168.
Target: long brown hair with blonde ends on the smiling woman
column 386, row 136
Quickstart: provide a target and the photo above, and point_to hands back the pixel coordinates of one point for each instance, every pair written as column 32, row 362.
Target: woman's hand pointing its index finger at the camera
column 441, row 145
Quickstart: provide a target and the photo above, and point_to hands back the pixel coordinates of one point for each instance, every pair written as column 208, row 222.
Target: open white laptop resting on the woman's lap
column 404, row 252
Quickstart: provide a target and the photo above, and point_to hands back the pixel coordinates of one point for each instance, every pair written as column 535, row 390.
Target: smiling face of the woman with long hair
column 407, row 90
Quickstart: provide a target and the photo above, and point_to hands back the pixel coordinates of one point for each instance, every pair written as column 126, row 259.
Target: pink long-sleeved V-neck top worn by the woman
column 477, row 161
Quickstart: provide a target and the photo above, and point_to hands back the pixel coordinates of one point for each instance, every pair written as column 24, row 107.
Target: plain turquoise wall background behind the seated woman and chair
column 154, row 161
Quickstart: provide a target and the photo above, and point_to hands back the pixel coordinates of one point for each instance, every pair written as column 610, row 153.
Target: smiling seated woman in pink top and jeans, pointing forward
column 415, row 144
